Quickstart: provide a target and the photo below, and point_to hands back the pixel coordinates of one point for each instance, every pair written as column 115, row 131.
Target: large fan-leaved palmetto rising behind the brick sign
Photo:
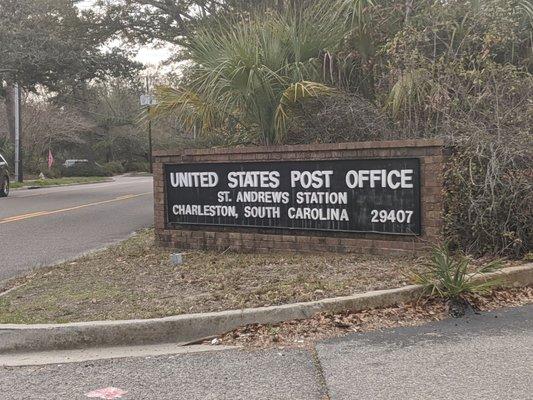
column 254, row 70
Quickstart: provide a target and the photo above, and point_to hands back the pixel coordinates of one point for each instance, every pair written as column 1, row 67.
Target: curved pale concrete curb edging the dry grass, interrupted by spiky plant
column 193, row 327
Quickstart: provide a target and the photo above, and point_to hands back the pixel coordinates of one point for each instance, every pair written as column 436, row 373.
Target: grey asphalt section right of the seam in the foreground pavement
column 483, row 357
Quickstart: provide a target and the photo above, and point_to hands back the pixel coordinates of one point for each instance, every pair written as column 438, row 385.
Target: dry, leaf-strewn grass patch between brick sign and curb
column 136, row 280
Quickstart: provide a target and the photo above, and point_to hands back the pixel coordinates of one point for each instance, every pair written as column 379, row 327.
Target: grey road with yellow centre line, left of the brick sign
column 43, row 226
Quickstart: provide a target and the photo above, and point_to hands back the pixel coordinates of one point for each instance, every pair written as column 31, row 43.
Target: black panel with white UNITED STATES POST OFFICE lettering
column 377, row 195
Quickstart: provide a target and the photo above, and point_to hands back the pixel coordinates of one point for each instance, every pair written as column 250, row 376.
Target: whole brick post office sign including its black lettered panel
column 363, row 197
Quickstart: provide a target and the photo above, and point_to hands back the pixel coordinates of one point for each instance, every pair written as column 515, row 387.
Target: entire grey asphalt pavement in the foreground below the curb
column 487, row 356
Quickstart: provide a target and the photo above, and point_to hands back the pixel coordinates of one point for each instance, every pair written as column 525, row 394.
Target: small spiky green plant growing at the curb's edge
column 453, row 278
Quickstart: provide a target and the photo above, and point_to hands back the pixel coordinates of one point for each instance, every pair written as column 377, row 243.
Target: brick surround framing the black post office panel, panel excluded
column 432, row 156
